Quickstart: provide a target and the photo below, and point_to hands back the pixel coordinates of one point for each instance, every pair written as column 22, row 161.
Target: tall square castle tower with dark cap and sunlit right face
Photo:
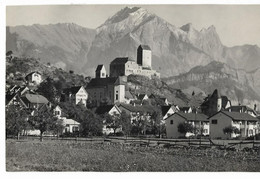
column 144, row 56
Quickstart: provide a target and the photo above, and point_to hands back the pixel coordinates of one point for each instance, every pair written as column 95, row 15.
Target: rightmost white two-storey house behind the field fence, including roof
column 244, row 122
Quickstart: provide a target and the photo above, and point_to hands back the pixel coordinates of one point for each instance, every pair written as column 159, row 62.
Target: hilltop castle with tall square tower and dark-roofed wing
column 124, row 66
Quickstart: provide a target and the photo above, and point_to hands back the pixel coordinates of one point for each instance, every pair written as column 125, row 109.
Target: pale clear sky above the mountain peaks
column 235, row 24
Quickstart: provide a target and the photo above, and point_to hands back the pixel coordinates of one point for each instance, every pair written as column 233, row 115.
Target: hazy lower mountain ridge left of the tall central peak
column 64, row 45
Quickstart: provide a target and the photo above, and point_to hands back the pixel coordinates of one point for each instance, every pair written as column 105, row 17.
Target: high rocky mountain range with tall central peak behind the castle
column 175, row 50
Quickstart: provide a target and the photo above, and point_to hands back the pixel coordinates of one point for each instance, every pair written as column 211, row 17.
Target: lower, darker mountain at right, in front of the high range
column 238, row 85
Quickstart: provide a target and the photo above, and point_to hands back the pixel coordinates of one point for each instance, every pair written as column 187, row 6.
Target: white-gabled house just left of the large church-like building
column 76, row 94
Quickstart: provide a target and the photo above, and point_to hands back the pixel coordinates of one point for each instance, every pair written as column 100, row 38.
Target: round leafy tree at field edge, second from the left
column 45, row 121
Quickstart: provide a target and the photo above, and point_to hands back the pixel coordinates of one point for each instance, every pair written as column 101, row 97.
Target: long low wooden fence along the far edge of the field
column 158, row 142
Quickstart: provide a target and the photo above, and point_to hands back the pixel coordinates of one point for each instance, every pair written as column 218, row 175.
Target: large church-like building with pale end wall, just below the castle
column 109, row 90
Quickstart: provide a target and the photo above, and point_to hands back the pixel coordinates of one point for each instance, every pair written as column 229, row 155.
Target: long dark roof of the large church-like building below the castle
column 101, row 82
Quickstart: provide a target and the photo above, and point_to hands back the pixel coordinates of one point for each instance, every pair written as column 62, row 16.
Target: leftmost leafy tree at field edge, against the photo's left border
column 16, row 120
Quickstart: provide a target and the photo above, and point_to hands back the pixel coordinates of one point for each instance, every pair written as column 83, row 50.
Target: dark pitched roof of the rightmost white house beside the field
column 238, row 116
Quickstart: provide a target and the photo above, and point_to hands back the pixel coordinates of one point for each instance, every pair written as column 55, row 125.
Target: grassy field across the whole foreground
column 83, row 156
